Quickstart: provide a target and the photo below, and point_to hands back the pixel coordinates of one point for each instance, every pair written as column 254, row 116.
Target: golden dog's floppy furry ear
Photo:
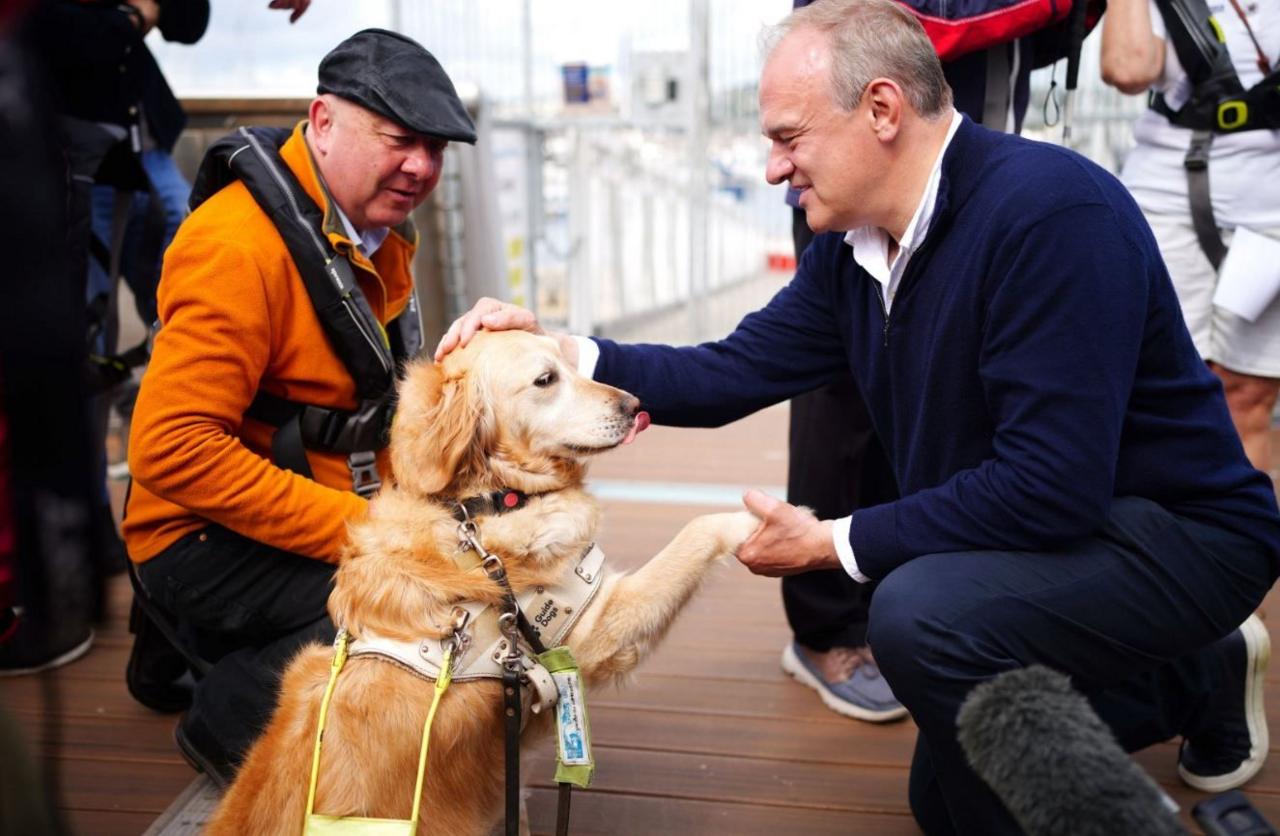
column 440, row 428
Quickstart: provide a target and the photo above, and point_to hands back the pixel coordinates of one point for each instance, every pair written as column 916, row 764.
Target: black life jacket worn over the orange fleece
column 369, row 353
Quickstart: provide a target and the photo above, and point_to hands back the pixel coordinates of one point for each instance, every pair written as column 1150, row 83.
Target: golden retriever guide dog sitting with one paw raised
column 505, row 413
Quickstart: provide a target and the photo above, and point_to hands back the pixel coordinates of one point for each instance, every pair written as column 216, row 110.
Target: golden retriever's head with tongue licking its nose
column 506, row 412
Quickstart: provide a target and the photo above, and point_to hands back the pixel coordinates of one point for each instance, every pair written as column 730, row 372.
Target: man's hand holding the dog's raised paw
column 790, row 541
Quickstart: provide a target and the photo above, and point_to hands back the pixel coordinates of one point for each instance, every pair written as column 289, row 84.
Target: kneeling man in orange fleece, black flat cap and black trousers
column 239, row 550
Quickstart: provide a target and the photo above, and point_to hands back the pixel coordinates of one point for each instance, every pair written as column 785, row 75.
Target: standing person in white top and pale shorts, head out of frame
column 1210, row 184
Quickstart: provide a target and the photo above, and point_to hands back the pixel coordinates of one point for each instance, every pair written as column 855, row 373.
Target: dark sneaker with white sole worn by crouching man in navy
column 1232, row 750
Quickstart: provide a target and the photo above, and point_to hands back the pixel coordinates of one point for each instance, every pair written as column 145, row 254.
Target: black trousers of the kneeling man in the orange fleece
column 246, row 607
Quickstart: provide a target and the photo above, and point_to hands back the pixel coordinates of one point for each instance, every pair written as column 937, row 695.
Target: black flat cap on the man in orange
column 395, row 77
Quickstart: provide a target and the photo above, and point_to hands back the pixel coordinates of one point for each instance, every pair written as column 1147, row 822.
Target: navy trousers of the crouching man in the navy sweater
column 1128, row 615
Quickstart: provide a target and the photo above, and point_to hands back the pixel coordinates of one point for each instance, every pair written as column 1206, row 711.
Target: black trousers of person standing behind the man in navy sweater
column 836, row 465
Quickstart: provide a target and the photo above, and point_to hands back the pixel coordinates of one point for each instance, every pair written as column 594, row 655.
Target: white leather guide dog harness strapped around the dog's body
column 481, row 647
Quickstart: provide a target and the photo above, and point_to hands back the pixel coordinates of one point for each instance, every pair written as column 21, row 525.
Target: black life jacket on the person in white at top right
column 1219, row 102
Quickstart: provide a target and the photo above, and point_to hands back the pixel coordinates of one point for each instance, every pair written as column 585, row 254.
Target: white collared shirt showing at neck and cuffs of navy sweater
column 871, row 253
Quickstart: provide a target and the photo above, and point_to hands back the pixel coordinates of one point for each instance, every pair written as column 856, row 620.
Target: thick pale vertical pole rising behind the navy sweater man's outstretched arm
column 700, row 116
